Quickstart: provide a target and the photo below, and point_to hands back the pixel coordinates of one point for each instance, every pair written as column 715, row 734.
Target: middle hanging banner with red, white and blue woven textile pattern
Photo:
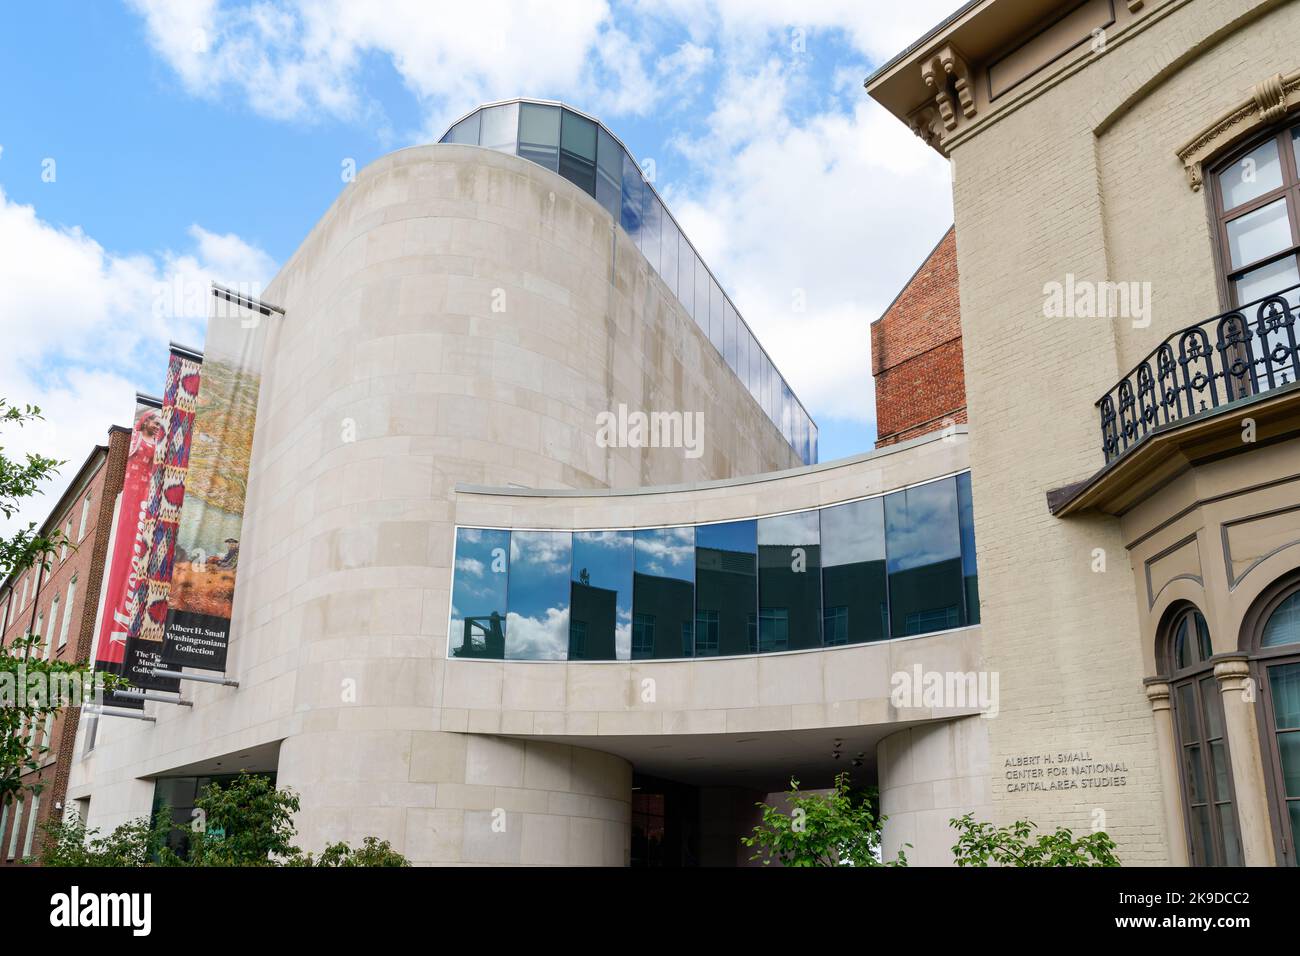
column 162, row 517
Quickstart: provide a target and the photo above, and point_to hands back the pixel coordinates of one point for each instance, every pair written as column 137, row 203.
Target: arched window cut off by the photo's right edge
column 1276, row 648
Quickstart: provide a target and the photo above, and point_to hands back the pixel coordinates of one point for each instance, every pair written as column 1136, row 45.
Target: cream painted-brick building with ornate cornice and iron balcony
column 1126, row 503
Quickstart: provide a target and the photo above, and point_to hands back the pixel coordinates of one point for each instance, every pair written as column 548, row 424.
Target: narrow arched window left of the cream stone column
column 1203, row 758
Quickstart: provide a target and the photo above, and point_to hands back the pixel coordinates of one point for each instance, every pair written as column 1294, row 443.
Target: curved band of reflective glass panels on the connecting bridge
column 892, row 566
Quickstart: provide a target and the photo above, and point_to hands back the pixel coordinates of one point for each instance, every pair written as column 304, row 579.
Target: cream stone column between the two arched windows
column 1243, row 746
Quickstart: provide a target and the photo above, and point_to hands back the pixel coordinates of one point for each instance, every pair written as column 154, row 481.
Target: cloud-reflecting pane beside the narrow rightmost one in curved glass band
column 924, row 543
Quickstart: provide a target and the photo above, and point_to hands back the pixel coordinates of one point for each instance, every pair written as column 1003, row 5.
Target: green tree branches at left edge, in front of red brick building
column 31, row 689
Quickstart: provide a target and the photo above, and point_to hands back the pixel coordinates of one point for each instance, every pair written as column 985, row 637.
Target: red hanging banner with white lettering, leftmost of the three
column 127, row 557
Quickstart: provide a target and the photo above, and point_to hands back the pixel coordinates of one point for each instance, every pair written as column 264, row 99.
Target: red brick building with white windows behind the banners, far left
column 60, row 604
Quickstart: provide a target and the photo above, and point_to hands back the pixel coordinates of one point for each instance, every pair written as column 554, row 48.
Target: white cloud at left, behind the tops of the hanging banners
column 81, row 326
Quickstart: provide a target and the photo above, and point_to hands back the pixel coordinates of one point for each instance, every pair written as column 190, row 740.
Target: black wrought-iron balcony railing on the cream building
column 1215, row 364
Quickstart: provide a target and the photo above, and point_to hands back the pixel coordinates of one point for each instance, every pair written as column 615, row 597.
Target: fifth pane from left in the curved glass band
column 726, row 589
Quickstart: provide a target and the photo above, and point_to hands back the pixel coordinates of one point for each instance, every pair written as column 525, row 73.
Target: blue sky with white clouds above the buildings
column 148, row 148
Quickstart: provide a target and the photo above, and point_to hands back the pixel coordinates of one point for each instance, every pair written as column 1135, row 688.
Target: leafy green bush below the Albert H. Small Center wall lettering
column 983, row 845
